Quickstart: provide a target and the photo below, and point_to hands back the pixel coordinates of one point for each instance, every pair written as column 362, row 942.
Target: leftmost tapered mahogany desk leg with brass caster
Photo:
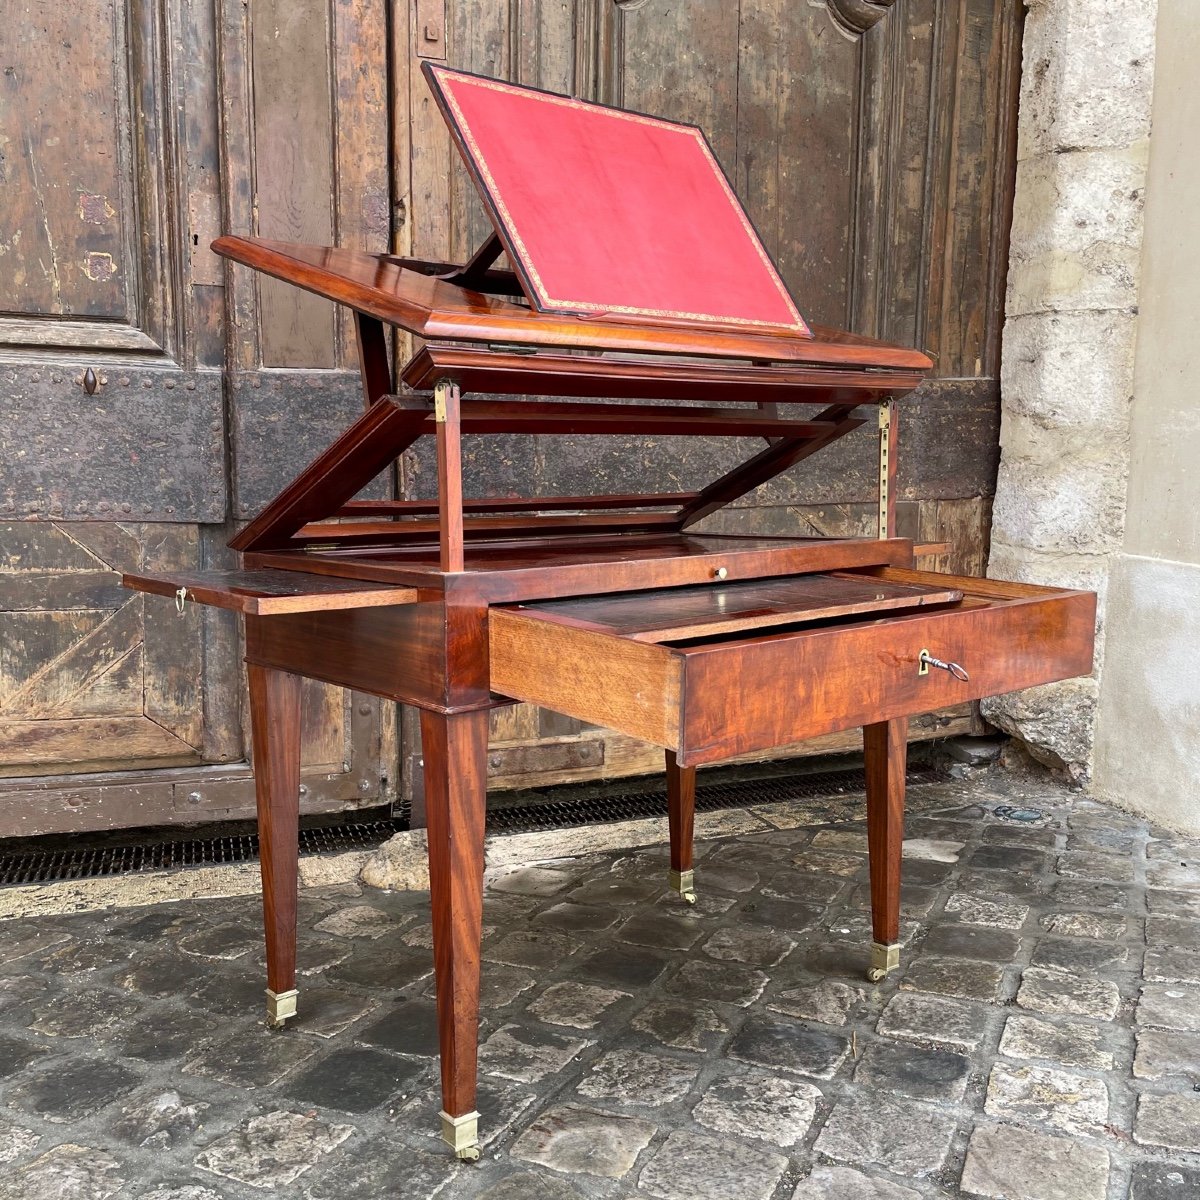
column 275, row 725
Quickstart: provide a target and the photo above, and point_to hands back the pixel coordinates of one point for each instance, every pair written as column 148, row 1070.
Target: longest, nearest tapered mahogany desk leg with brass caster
column 455, row 749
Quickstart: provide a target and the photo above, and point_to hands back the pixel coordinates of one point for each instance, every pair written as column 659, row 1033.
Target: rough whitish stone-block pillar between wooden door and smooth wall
column 1067, row 374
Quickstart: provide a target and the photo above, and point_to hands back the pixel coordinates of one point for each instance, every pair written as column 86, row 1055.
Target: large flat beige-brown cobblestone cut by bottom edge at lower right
column 1009, row 1163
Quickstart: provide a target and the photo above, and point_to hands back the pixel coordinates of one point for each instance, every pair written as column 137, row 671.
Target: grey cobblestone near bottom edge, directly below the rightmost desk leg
column 904, row 1137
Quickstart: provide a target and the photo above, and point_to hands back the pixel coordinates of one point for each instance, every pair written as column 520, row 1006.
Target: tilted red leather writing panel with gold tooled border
column 607, row 212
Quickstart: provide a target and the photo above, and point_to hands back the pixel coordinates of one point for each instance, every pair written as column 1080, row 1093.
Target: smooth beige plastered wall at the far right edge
column 1148, row 734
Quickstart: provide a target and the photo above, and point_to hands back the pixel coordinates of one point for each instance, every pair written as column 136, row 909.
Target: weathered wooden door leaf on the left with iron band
column 131, row 133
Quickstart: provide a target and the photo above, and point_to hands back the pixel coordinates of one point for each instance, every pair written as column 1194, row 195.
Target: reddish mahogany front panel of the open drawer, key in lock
column 753, row 695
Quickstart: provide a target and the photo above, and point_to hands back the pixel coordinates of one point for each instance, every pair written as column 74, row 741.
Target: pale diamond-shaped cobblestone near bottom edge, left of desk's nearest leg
column 273, row 1150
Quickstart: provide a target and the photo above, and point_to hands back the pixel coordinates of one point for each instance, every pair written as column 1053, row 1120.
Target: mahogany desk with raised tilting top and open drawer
column 613, row 609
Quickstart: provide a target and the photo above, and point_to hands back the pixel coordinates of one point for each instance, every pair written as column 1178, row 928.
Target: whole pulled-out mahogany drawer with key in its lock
column 737, row 691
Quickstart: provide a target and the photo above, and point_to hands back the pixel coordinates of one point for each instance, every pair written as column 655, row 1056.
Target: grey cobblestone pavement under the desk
column 1042, row 1041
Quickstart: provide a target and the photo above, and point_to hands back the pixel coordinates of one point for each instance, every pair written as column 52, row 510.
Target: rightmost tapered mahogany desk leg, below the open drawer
column 886, row 747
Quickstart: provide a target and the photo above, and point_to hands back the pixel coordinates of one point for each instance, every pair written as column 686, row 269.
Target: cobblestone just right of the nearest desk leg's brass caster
column 579, row 1141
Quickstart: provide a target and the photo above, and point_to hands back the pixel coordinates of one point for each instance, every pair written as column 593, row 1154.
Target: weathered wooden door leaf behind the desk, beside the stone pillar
column 873, row 145
